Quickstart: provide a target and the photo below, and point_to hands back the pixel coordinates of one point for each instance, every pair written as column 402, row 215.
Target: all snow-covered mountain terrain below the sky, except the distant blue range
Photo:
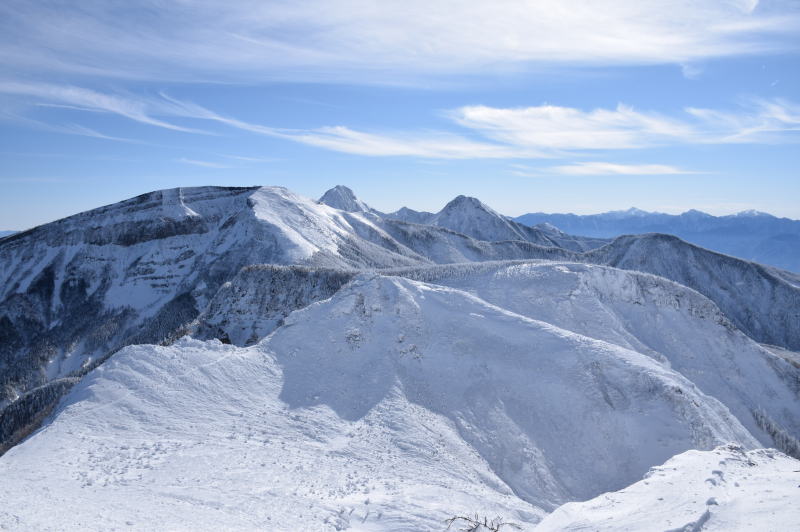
column 249, row 359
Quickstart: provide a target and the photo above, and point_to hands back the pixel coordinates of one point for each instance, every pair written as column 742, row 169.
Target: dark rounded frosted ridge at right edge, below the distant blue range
column 762, row 301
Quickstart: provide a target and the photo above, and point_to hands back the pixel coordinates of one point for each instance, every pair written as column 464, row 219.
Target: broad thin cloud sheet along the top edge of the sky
column 383, row 42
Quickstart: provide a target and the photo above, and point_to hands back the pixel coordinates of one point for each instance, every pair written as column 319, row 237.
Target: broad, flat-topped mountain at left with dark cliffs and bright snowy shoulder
column 73, row 291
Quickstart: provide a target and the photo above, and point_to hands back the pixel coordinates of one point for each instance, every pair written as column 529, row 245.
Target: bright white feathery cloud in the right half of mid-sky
column 565, row 129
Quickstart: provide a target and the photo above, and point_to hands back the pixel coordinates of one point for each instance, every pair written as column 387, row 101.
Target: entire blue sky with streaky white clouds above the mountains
column 581, row 106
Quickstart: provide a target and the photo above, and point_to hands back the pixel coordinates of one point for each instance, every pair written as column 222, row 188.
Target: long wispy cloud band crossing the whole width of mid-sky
column 482, row 132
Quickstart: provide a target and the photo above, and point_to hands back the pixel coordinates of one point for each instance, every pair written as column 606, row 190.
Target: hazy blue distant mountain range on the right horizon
column 750, row 235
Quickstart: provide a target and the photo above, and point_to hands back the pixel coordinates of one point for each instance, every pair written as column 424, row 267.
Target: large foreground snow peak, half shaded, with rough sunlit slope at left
column 392, row 405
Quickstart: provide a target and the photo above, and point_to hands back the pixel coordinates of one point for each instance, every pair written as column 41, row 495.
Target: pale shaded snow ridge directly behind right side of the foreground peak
column 656, row 317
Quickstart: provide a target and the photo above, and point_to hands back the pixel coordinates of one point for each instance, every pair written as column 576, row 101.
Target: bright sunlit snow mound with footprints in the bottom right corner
column 721, row 490
